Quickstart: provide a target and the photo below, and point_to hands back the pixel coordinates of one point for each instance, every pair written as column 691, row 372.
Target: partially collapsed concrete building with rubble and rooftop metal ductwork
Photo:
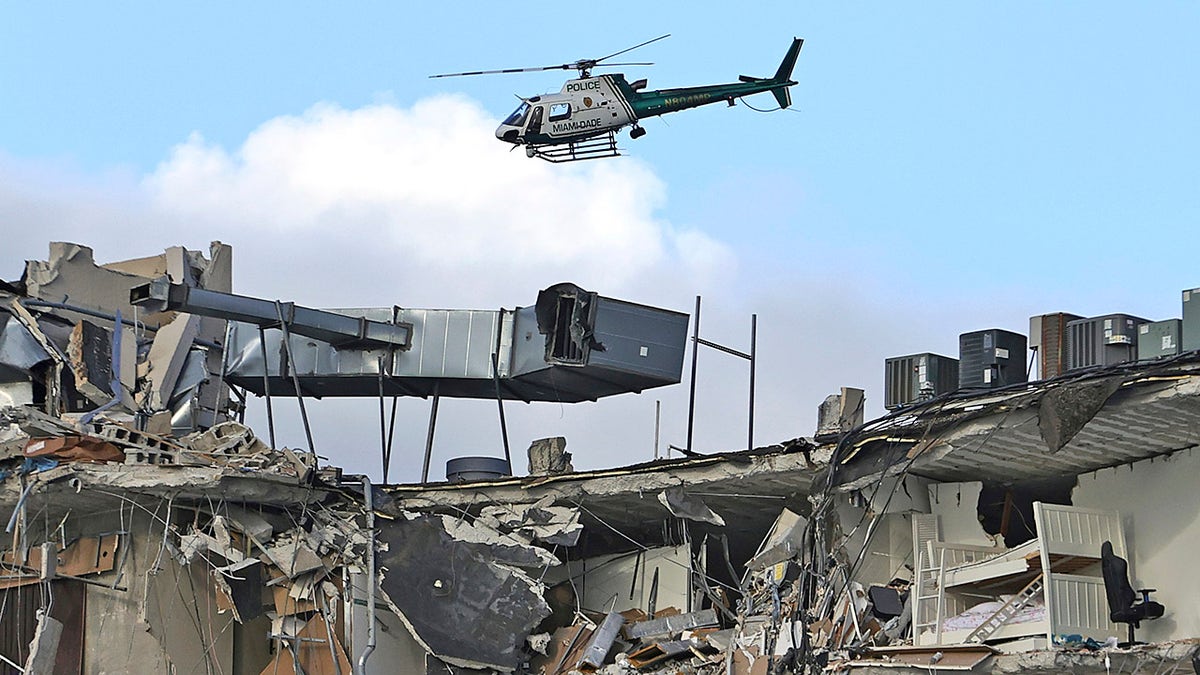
column 152, row 531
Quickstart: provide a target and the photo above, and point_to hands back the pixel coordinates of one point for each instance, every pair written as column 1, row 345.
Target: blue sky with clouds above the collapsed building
column 949, row 166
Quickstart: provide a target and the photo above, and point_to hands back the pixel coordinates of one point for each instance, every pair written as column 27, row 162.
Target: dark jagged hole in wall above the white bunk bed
column 1009, row 509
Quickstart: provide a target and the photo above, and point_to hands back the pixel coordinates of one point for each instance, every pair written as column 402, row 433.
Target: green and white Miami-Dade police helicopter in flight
column 583, row 121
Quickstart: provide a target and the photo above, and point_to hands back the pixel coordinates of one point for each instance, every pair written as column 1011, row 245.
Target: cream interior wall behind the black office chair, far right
column 1162, row 528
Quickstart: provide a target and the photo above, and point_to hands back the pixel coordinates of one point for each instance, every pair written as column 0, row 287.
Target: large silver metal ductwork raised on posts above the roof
column 571, row 347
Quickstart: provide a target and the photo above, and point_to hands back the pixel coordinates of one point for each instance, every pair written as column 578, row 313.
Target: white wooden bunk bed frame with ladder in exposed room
column 1061, row 565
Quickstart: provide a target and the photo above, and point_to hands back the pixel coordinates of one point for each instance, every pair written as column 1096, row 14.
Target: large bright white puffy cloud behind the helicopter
column 431, row 189
